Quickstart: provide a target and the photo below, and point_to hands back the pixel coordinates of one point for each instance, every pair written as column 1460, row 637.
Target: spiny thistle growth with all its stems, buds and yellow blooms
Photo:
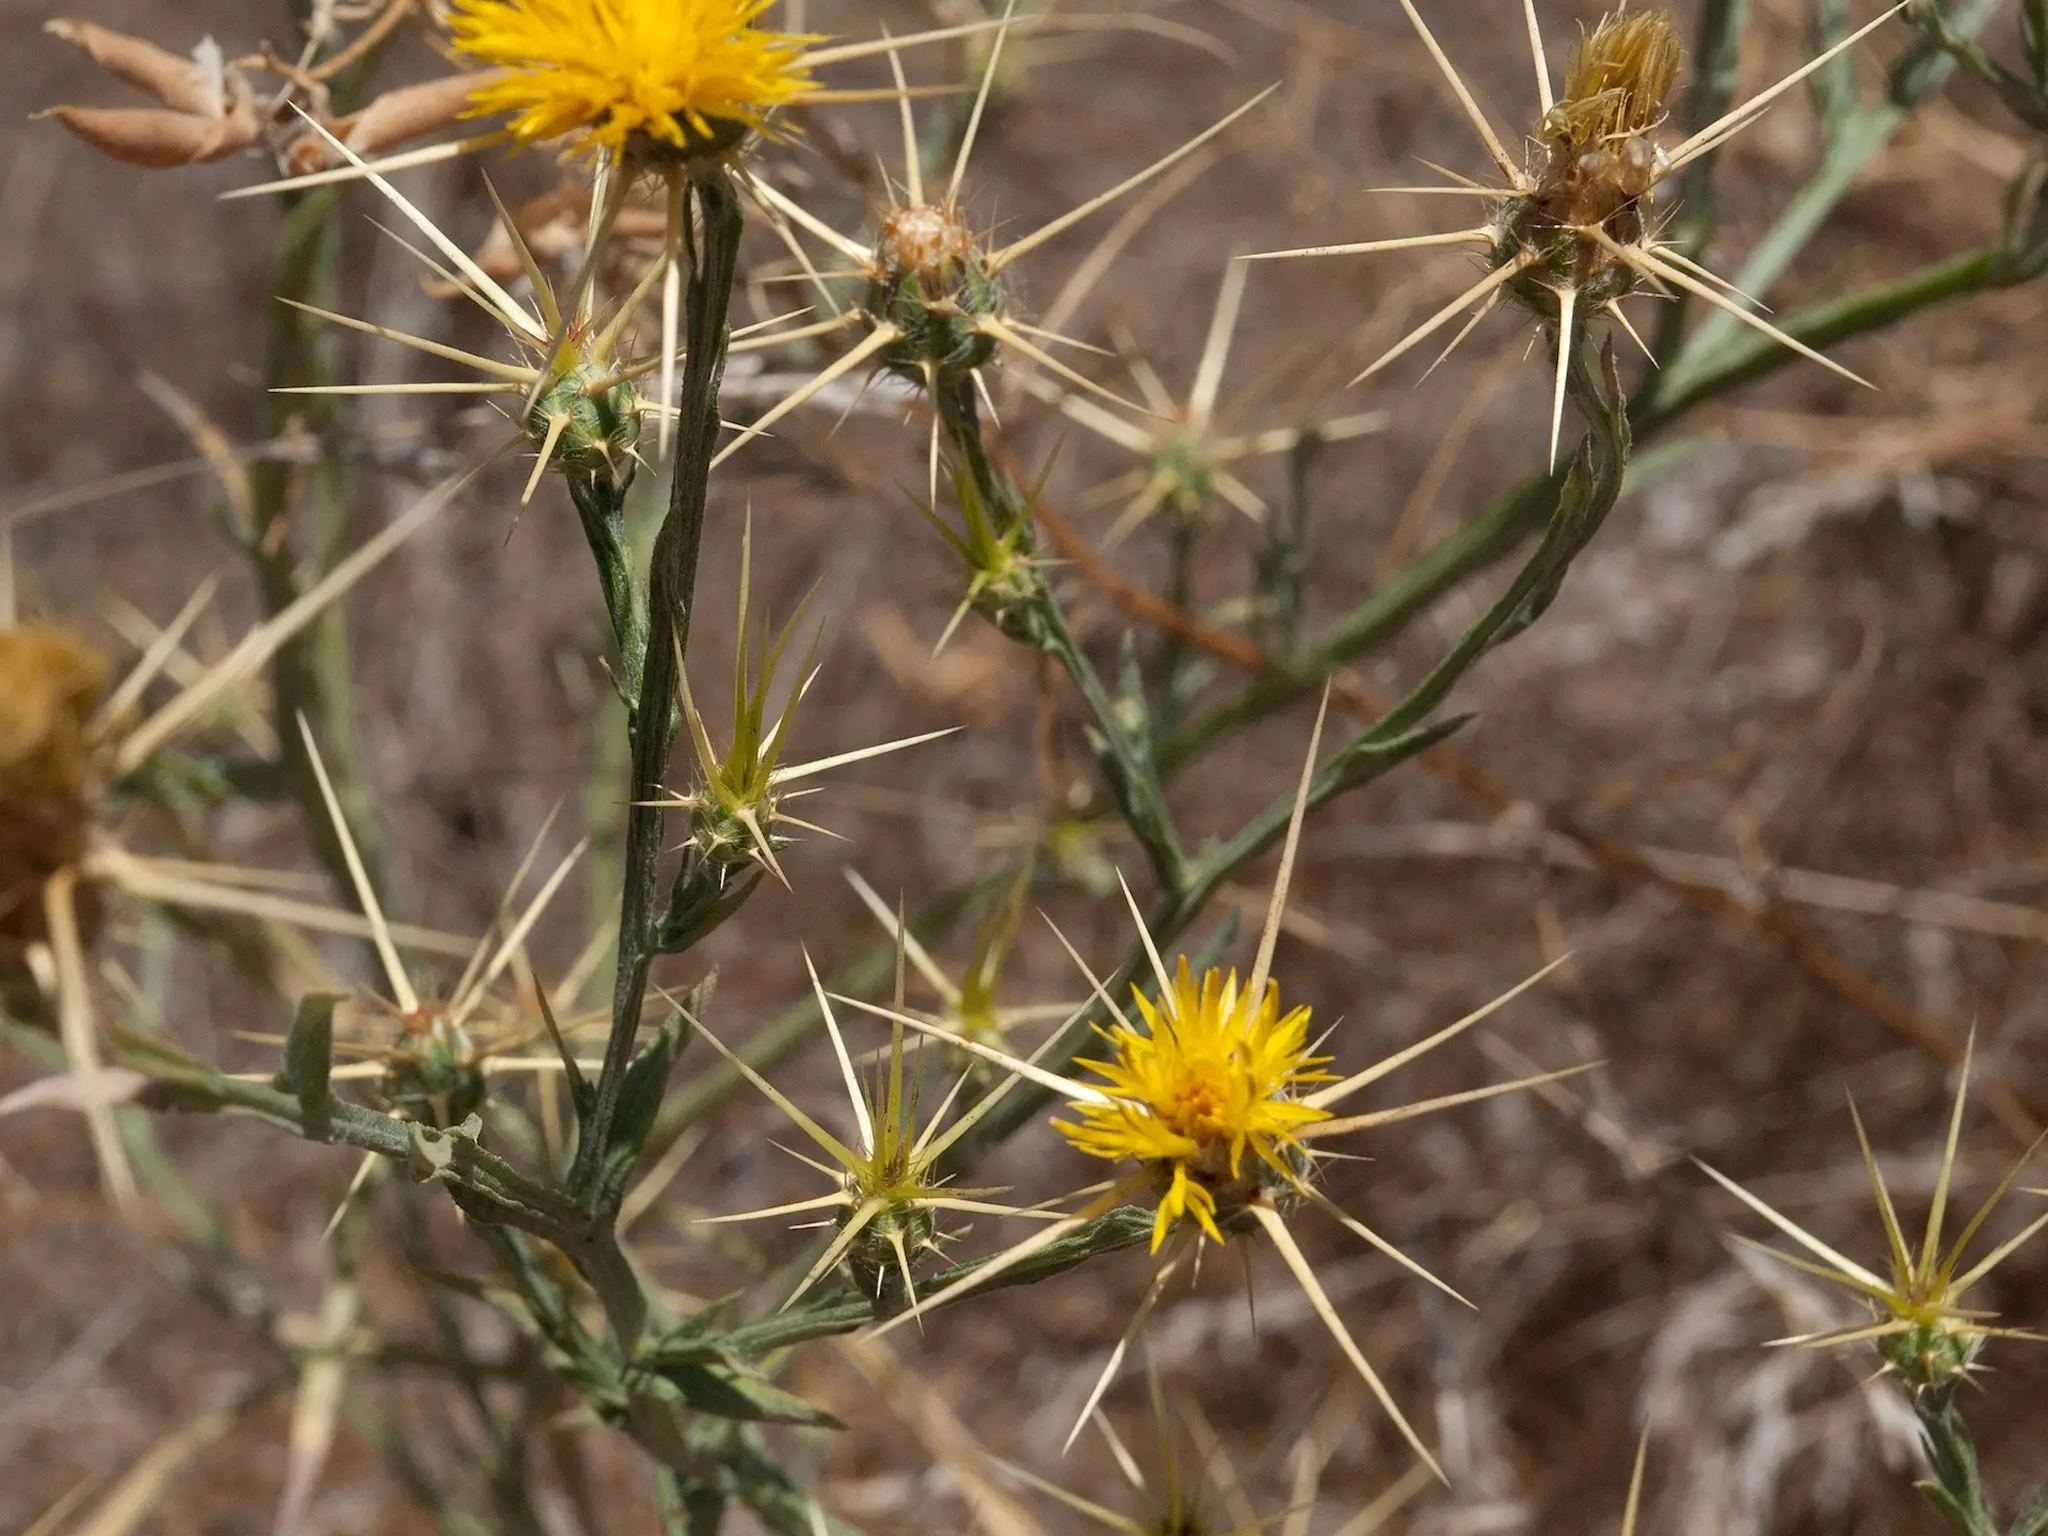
column 1209, row 1099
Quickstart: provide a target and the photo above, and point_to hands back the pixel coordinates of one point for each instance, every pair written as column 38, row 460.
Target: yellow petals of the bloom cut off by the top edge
column 683, row 73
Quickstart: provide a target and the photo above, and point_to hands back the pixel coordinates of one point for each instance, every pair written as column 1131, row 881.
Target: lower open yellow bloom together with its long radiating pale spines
column 1213, row 1101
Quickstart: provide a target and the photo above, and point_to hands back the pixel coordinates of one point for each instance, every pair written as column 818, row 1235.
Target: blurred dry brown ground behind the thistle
column 1811, row 646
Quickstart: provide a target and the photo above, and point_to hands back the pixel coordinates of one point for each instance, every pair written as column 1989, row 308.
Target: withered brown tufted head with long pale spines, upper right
column 1574, row 232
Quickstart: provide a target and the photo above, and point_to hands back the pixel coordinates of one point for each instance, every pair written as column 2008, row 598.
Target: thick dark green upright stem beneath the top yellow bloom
column 671, row 605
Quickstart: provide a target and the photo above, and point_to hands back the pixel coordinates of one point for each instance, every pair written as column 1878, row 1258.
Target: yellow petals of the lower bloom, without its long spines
column 1209, row 1078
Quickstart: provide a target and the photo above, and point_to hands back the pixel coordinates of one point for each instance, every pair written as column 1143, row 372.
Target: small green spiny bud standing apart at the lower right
column 1920, row 1322
